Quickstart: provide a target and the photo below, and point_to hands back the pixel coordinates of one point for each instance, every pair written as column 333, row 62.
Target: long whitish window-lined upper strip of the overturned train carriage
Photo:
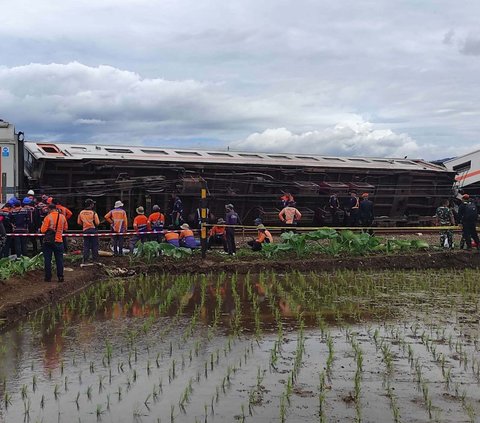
column 65, row 151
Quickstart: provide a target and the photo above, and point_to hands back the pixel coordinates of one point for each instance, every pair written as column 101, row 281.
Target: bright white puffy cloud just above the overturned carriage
column 347, row 139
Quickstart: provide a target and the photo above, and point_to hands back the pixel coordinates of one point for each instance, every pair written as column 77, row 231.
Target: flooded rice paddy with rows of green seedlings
column 372, row 347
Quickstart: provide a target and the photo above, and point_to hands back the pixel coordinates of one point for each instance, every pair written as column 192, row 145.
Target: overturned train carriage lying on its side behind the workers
column 404, row 191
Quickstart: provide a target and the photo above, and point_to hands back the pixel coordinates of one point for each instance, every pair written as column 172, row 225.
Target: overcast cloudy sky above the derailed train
column 370, row 77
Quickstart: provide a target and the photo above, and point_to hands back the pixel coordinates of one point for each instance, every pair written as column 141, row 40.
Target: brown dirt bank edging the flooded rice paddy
column 22, row 295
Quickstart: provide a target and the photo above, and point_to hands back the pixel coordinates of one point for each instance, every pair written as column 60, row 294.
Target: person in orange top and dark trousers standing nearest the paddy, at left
column 53, row 227
